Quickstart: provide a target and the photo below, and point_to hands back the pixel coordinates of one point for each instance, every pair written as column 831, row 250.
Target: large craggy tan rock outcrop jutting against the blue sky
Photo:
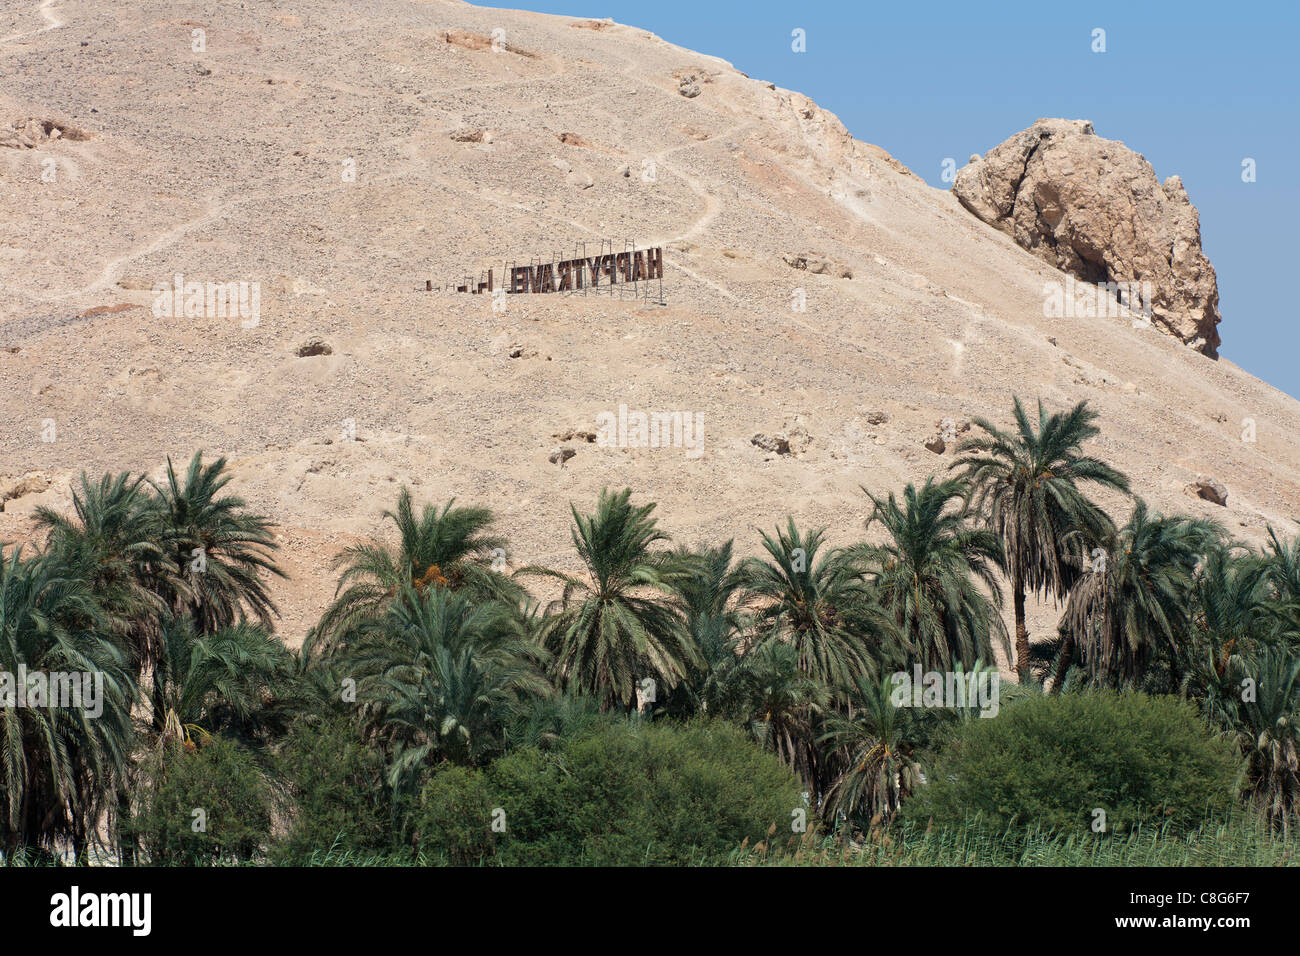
column 1095, row 209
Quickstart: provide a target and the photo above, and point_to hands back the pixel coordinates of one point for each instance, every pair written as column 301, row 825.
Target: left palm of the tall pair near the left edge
column 115, row 544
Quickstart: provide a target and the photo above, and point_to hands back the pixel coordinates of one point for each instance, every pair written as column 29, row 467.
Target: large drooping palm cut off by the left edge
column 60, row 767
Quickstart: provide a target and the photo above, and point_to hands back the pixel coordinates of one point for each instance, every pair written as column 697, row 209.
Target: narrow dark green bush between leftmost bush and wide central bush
column 340, row 802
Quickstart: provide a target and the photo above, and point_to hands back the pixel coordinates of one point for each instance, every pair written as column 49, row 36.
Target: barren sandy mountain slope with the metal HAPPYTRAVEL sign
column 231, row 166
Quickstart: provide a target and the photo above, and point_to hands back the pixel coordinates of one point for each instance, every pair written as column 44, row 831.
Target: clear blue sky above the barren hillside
column 1194, row 86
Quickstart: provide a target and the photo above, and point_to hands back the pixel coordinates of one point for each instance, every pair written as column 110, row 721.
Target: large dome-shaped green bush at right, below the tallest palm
column 1048, row 763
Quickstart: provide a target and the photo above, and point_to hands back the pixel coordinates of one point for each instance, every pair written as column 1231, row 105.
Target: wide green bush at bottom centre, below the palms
column 619, row 794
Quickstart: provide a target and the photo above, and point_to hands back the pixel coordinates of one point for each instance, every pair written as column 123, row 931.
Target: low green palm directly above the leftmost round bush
column 205, row 680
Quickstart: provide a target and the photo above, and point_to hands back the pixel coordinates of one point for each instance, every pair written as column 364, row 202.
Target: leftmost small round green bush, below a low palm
column 203, row 806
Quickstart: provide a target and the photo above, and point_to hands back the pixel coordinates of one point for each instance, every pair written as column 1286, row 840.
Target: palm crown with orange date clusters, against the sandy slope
column 450, row 548
